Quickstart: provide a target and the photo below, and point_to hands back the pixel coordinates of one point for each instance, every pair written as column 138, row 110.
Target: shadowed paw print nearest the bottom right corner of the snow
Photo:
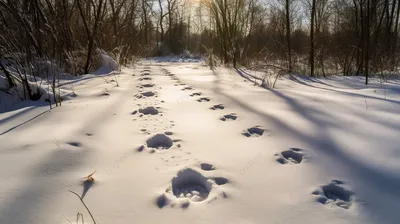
column 335, row 193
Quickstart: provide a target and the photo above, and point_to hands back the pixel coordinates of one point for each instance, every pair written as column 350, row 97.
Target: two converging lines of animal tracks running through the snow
column 195, row 185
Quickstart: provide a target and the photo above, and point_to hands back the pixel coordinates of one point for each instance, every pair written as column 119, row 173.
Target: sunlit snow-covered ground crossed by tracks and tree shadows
column 179, row 143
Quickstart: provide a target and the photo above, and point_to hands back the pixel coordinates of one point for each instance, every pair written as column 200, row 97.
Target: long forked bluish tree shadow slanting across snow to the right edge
column 376, row 179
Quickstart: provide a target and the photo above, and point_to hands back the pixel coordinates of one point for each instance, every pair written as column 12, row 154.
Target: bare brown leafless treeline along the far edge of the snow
column 314, row 37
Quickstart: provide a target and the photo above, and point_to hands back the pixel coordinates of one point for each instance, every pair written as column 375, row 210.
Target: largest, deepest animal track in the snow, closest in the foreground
column 190, row 186
